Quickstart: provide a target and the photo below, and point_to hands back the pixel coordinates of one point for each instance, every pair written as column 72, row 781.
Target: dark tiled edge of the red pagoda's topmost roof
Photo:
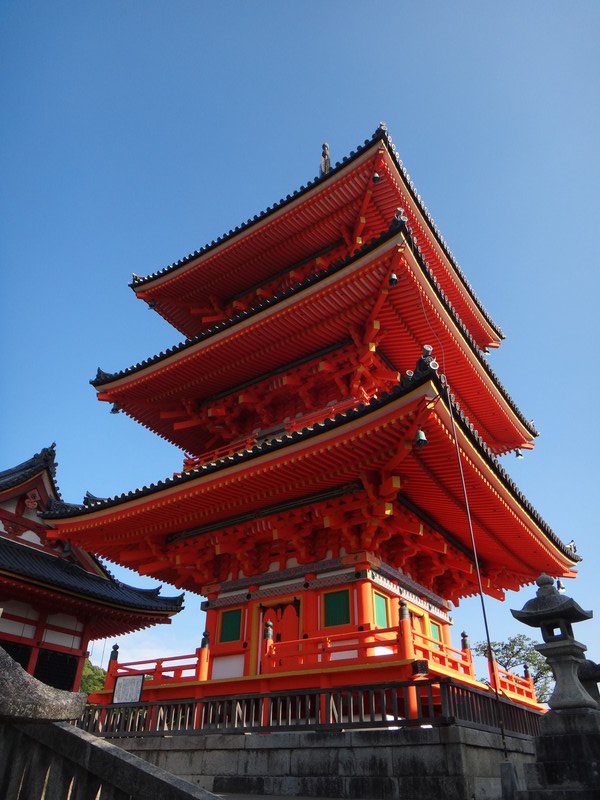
column 381, row 134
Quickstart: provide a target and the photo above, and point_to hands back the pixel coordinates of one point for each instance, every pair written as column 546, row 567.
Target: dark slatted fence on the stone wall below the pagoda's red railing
column 435, row 701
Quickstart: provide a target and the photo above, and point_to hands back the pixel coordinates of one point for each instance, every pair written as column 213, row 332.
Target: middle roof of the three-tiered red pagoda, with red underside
column 284, row 328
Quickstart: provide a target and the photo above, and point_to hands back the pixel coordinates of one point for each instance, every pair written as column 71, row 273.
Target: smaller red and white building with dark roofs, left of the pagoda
column 55, row 597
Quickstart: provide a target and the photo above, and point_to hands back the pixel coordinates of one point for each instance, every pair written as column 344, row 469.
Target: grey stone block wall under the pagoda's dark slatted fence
column 449, row 763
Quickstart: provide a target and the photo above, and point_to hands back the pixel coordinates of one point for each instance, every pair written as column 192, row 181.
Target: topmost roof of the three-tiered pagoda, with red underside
column 304, row 224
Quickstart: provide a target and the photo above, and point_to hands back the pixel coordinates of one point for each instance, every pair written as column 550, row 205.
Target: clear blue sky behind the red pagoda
column 135, row 132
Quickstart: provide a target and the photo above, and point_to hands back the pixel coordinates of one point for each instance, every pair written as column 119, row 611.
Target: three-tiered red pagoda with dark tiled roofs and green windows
column 319, row 509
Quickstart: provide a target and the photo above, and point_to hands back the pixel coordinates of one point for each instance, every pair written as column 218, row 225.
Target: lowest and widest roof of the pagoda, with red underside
column 368, row 445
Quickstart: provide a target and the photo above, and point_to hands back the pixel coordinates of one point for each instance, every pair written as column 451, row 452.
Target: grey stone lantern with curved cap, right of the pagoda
column 554, row 614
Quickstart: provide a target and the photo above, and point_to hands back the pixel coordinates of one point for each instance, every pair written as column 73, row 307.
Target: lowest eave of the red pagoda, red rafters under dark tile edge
column 509, row 537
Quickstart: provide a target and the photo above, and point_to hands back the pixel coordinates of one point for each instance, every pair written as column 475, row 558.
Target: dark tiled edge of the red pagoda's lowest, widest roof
column 283, row 440
